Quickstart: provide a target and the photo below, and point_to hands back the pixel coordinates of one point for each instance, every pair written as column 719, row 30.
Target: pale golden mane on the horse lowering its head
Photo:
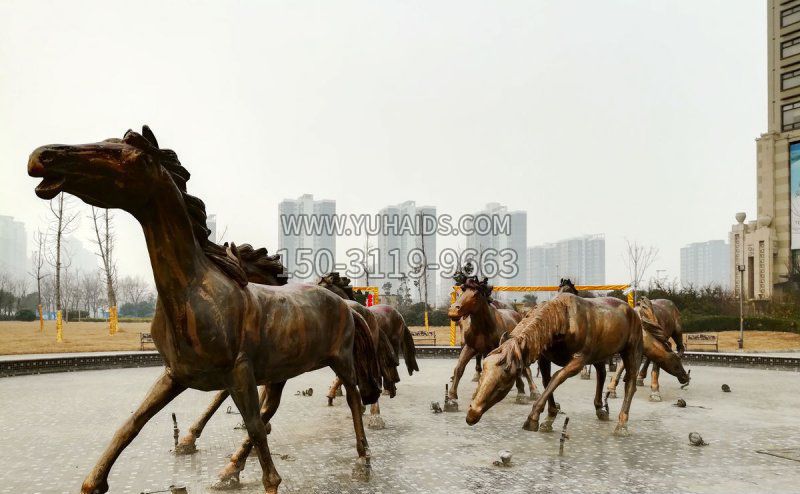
column 534, row 334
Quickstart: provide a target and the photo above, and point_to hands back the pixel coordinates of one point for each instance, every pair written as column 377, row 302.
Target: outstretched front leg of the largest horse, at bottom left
column 163, row 391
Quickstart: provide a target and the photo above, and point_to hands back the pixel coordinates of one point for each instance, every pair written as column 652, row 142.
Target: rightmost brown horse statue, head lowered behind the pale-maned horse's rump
column 660, row 321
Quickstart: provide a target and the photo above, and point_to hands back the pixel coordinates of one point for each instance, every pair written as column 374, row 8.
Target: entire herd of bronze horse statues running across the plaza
column 226, row 320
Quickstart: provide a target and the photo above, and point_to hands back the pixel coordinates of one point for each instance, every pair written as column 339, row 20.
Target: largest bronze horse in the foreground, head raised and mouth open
column 214, row 330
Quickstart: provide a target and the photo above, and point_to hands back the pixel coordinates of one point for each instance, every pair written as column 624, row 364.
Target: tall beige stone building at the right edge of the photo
column 768, row 245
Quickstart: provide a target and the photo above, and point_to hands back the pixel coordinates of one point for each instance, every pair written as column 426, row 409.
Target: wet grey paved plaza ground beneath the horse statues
column 53, row 427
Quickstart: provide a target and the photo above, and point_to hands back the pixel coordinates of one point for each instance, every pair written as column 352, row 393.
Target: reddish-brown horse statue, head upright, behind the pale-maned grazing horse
column 483, row 326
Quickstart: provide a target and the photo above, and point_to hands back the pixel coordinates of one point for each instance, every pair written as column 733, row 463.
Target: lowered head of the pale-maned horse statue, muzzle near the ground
column 500, row 370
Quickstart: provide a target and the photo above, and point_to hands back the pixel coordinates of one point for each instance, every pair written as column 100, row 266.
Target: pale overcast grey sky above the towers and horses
column 634, row 118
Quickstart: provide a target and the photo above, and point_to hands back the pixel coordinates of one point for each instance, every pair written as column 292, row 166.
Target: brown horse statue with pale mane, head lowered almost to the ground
column 572, row 332
